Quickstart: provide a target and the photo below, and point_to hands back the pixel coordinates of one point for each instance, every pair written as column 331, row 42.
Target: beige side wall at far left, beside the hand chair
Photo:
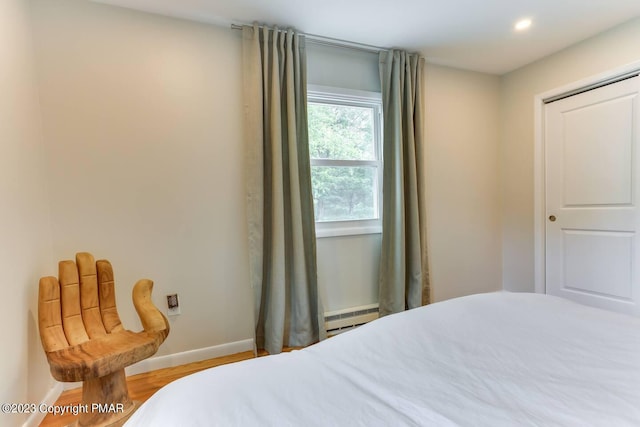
column 25, row 252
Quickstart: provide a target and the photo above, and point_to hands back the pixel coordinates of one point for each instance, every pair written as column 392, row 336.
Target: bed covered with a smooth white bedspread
column 497, row 359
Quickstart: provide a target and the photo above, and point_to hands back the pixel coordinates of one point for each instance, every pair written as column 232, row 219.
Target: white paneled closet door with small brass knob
column 592, row 192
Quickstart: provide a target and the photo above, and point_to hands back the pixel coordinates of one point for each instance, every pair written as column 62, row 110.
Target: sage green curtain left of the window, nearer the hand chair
column 279, row 199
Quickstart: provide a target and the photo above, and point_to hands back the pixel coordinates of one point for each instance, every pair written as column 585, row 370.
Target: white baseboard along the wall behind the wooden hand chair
column 152, row 364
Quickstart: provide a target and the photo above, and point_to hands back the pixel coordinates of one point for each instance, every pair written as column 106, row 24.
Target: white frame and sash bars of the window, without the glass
column 357, row 98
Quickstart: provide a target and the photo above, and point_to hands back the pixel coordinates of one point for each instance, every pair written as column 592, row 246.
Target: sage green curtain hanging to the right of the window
column 404, row 279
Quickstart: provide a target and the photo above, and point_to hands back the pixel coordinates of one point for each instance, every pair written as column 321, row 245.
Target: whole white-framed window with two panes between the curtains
column 346, row 160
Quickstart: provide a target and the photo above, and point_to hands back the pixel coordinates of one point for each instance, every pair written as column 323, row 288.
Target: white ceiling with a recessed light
column 470, row 34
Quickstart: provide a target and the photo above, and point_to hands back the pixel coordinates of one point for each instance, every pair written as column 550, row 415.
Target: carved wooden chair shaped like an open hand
column 84, row 340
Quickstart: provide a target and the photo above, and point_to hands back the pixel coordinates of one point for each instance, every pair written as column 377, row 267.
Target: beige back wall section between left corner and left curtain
column 142, row 118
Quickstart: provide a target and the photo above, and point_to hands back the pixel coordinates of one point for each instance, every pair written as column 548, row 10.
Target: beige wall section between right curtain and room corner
column 463, row 198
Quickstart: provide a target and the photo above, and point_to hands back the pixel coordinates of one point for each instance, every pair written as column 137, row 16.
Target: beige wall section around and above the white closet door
column 607, row 51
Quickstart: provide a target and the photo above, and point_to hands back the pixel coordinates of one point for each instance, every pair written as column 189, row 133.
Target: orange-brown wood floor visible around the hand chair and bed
column 142, row 386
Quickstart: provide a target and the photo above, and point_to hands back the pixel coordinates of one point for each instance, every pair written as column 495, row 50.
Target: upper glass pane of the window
column 341, row 132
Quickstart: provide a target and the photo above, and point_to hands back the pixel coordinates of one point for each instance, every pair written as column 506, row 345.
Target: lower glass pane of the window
column 342, row 193
